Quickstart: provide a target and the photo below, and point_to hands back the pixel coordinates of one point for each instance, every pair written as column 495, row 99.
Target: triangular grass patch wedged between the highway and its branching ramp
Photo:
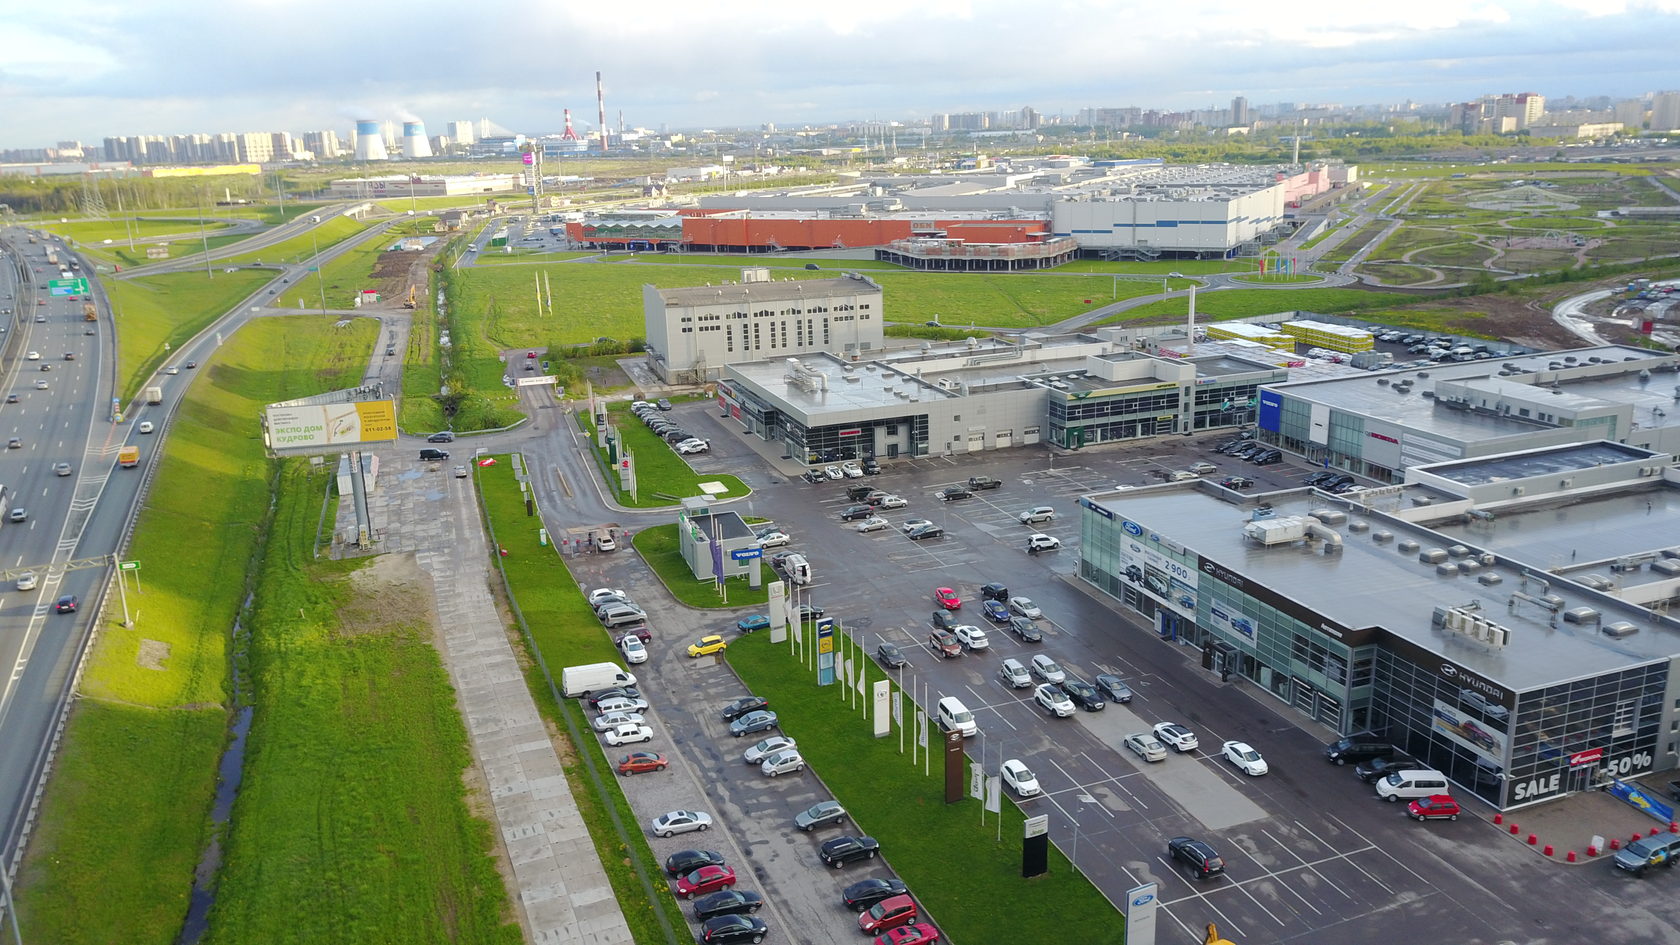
column 169, row 309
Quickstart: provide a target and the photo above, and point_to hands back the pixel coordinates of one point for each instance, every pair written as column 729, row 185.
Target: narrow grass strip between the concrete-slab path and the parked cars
column 560, row 630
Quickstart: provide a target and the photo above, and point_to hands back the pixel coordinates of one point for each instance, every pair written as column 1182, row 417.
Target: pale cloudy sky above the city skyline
column 92, row 68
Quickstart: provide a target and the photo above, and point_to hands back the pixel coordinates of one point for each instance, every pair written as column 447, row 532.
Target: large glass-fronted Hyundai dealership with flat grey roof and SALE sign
column 1504, row 620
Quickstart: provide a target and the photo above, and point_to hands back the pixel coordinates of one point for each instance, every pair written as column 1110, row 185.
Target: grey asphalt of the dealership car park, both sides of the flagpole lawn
column 1311, row 853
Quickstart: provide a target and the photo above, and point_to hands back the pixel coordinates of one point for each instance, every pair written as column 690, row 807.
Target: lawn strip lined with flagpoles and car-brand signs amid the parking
column 923, row 837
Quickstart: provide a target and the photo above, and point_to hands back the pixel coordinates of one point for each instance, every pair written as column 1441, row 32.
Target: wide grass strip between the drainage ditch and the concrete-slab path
column 352, row 823
